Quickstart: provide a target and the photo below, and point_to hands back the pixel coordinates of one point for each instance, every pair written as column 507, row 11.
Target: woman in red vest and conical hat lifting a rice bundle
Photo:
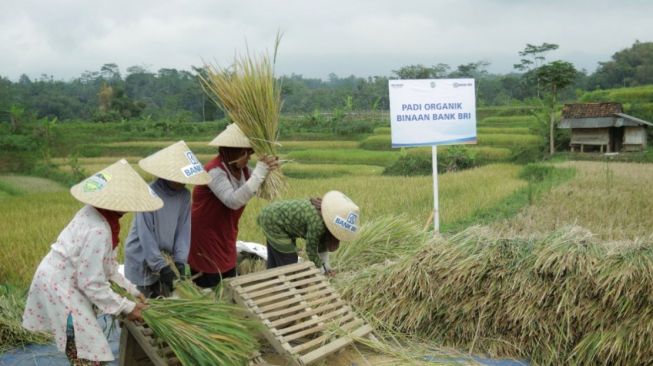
column 217, row 206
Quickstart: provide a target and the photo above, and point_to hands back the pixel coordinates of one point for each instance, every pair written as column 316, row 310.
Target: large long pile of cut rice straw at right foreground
column 561, row 298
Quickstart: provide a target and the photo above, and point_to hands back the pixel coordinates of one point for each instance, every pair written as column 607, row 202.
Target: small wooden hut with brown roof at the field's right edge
column 603, row 127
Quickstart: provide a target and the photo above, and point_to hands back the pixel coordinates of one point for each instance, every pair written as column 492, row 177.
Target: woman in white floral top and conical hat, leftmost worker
column 74, row 276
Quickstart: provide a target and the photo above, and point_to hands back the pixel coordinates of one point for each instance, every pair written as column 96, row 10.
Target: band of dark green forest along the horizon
column 172, row 95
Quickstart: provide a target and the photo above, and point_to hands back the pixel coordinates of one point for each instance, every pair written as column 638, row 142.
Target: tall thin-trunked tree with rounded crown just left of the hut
column 555, row 76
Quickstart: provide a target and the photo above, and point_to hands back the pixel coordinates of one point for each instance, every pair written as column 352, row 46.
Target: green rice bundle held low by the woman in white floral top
column 200, row 329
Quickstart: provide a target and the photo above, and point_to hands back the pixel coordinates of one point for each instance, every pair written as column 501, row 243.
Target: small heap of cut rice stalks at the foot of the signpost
column 385, row 239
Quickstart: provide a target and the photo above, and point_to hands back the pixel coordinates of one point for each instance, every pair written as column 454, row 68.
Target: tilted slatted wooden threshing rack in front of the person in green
column 304, row 317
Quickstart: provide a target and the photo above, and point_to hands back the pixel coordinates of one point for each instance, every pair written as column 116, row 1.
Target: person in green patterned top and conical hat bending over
column 323, row 223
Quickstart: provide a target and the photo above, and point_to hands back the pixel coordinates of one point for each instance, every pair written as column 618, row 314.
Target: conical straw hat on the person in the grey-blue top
column 176, row 163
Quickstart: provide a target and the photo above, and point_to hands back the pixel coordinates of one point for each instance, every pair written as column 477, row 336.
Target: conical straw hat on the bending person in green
column 341, row 215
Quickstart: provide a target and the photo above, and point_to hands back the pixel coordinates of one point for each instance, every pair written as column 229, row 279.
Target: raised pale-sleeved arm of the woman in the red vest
column 237, row 198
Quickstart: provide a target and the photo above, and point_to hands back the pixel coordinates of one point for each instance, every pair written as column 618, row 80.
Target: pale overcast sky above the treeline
column 63, row 38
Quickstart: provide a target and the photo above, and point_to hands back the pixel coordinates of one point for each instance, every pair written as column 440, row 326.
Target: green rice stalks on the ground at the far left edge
column 12, row 333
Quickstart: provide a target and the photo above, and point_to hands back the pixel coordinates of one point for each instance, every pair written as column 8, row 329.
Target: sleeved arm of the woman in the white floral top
column 91, row 279
